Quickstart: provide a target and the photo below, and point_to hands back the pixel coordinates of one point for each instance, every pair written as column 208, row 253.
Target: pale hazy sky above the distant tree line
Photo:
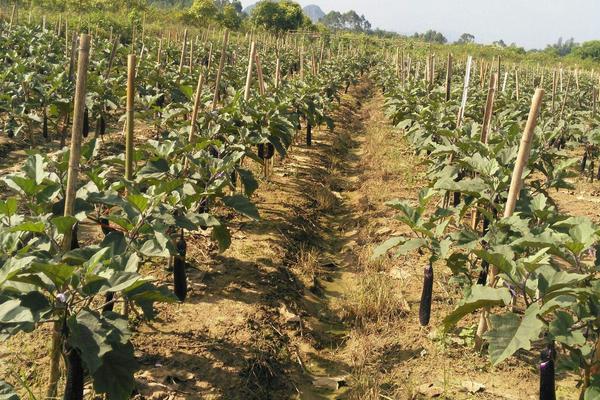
column 529, row 23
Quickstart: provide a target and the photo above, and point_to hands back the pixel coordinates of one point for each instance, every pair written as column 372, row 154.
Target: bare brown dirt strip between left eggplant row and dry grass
column 263, row 319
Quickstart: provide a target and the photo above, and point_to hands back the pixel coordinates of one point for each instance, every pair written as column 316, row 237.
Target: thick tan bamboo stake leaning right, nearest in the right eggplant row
column 514, row 190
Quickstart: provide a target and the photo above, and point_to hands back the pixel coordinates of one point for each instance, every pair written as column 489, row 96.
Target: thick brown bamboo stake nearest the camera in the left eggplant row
column 70, row 195
